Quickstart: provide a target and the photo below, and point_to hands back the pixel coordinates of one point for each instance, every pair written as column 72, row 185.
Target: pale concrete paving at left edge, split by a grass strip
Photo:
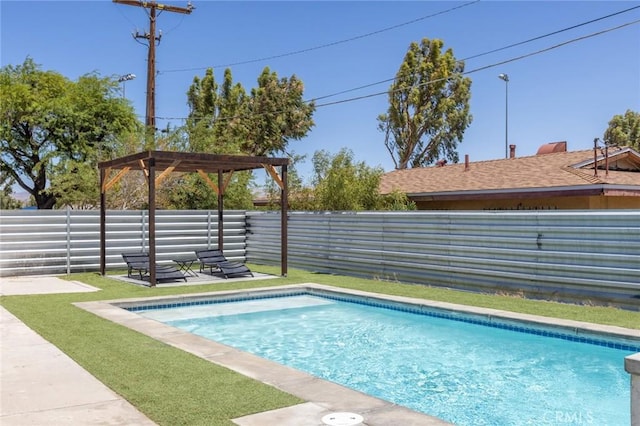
column 39, row 384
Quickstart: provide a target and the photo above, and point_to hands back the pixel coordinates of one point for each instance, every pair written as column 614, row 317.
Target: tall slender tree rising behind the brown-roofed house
column 428, row 107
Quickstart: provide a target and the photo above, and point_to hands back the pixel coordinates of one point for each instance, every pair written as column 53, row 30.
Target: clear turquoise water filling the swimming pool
column 460, row 371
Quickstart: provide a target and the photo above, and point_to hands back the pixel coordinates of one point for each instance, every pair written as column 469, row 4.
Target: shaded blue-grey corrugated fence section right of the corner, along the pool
column 593, row 255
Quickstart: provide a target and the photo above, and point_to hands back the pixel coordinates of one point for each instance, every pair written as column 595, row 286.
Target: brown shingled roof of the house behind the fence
column 566, row 170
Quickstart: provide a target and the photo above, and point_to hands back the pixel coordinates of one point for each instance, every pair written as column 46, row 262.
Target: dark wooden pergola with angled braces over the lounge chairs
column 157, row 165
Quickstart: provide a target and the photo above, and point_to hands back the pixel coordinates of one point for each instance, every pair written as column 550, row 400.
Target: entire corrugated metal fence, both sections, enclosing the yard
column 552, row 254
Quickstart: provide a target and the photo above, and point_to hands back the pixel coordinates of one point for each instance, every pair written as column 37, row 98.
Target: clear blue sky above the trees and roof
column 568, row 93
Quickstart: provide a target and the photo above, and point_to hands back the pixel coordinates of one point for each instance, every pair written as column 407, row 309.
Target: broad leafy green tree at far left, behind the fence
column 48, row 122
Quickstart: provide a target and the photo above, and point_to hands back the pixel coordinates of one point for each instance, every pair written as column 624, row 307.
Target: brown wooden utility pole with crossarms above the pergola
column 153, row 6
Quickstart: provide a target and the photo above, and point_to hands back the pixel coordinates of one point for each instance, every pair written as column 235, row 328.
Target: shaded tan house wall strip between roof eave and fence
column 551, row 203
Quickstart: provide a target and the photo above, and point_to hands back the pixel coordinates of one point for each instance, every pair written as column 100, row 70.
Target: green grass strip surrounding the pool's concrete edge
column 174, row 387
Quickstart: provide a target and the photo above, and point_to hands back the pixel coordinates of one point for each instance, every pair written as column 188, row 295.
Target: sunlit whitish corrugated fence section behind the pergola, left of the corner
column 64, row 241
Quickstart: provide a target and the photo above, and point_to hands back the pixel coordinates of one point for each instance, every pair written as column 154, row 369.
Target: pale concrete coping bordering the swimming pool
column 326, row 396
